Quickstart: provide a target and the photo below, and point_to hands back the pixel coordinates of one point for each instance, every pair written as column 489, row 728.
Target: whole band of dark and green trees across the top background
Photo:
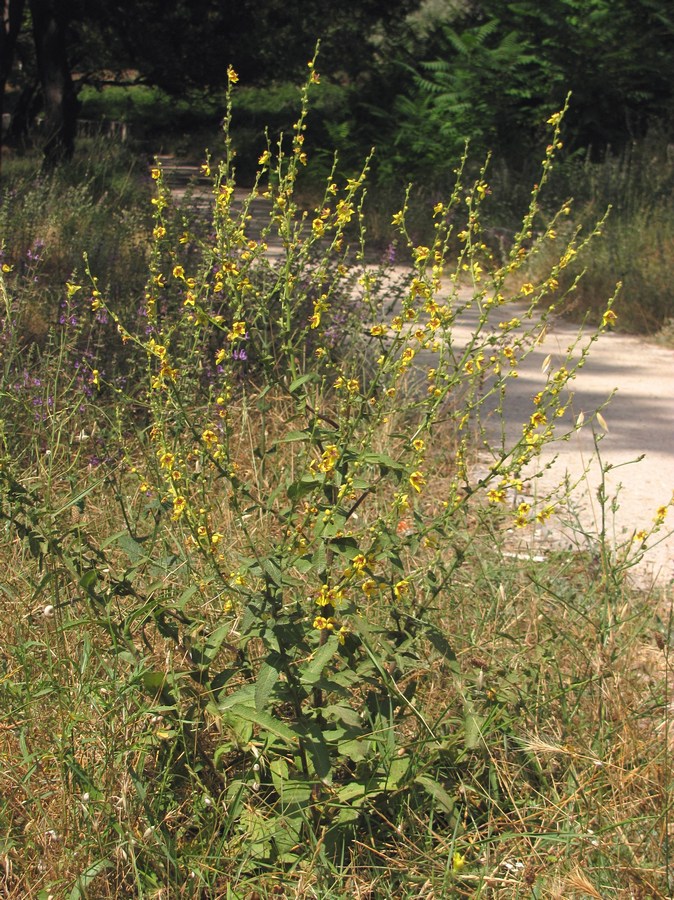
column 427, row 73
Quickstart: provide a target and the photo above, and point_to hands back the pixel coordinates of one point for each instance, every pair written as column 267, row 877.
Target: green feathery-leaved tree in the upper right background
column 495, row 70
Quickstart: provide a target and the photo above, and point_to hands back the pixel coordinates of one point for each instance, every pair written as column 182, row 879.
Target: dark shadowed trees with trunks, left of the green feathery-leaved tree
column 180, row 45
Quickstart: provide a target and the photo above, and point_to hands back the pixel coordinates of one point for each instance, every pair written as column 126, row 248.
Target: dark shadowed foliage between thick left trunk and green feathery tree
column 182, row 44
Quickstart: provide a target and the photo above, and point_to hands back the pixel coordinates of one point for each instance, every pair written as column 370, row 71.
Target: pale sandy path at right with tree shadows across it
column 640, row 419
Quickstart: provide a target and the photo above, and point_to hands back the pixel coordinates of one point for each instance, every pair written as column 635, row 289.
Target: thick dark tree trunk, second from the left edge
column 58, row 90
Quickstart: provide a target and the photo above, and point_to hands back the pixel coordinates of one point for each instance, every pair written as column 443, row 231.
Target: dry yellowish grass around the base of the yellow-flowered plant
column 552, row 739
